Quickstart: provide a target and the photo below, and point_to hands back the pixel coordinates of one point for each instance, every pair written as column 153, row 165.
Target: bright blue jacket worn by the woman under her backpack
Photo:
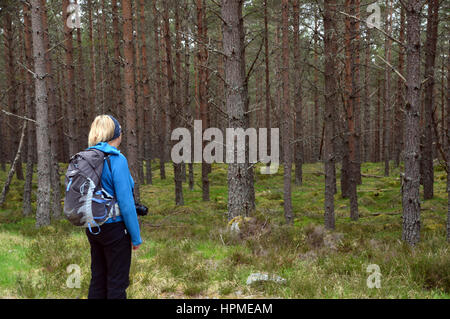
column 118, row 182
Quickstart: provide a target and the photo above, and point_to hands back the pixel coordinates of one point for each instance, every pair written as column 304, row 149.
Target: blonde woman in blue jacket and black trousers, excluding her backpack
column 111, row 248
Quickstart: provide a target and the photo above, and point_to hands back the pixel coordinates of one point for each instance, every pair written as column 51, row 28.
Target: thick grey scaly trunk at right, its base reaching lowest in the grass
column 411, row 178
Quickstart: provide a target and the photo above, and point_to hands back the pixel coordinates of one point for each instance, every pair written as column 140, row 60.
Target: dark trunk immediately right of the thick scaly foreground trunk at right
column 430, row 57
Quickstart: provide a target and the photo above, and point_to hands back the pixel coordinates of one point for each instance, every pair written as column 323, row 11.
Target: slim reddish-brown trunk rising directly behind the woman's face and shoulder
column 129, row 94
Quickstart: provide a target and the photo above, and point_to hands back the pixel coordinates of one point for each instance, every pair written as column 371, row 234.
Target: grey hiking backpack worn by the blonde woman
column 86, row 203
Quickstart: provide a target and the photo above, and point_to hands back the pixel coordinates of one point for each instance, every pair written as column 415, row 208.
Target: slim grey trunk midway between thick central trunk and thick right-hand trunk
column 330, row 51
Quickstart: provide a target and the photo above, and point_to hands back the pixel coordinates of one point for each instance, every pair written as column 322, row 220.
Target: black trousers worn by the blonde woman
column 110, row 261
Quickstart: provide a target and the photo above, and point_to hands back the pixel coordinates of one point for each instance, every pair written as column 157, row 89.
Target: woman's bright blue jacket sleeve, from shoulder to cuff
column 123, row 186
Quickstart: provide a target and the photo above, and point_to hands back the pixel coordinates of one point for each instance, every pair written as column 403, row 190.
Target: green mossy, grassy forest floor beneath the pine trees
column 190, row 252
